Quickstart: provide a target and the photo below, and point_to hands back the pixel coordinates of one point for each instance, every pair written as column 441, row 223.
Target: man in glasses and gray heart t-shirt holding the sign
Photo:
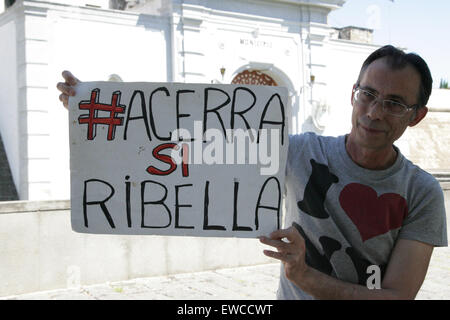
column 358, row 209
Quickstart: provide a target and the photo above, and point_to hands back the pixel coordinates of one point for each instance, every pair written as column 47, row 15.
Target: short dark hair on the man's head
column 398, row 59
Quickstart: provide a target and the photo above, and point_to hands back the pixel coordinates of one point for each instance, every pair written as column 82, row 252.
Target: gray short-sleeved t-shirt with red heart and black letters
column 351, row 217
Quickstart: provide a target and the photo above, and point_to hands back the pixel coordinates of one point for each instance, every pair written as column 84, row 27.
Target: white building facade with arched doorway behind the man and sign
column 279, row 42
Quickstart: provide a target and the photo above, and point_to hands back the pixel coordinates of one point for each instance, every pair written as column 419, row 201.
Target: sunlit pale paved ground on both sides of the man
column 244, row 283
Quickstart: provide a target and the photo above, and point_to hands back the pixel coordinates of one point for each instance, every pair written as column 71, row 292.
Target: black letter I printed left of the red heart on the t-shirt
column 316, row 189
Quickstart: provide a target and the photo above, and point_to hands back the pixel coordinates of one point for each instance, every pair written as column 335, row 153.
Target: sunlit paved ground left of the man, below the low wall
column 254, row 282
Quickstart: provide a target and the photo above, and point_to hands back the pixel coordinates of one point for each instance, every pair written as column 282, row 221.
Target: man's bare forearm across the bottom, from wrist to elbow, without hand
column 324, row 287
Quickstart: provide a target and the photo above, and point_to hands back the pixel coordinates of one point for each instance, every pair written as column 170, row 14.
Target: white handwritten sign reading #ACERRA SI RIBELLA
column 177, row 158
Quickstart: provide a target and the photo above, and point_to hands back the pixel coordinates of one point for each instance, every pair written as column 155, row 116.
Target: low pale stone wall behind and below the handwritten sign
column 39, row 251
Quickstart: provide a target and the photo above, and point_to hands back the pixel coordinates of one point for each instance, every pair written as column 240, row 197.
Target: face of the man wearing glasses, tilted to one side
column 374, row 129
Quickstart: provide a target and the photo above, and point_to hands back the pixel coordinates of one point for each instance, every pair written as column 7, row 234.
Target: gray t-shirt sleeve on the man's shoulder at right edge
column 426, row 220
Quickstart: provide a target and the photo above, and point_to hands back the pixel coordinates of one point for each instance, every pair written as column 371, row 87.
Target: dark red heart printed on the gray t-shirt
column 373, row 215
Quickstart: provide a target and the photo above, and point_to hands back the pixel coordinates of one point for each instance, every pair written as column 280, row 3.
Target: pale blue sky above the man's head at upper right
column 420, row 26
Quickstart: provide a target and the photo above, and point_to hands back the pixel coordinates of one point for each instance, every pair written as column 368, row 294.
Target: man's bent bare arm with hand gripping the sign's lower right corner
column 404, row 275
